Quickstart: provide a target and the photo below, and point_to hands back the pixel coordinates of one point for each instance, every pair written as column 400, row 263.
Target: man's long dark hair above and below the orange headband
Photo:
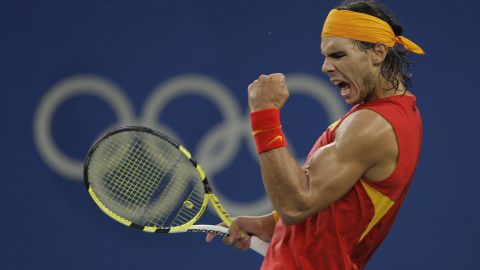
column 395, row 67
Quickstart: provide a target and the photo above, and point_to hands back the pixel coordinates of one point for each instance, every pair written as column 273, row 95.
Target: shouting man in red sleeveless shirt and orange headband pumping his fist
column 334, row 212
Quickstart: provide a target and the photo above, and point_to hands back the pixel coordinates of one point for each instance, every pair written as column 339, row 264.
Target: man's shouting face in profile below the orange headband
column 349, row 68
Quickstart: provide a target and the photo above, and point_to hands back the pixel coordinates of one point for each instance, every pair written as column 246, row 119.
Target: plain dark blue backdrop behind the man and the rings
column 48, row 221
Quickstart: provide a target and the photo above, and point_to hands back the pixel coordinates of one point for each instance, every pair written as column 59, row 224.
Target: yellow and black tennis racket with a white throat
column 147, row 181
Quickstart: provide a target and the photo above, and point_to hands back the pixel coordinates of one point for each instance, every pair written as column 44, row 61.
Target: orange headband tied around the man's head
column 364, row 27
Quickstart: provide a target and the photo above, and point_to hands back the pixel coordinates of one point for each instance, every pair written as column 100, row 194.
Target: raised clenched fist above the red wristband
column 268, row 91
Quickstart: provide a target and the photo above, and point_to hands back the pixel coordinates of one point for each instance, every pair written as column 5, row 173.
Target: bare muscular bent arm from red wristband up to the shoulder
column 365, row 145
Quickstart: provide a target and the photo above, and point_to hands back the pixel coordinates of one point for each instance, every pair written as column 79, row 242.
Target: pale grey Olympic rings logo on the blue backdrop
column 229, row 133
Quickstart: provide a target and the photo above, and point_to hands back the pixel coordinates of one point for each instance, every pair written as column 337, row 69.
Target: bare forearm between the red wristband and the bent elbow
column 286, row 184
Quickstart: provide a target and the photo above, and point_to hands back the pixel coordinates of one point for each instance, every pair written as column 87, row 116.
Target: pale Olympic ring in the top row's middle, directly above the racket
column 217, row 94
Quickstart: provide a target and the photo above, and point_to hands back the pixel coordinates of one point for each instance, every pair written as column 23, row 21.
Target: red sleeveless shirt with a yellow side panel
column 346, row 234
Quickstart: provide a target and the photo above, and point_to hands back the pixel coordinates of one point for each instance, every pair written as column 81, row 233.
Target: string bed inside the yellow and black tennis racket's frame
column 147, row 180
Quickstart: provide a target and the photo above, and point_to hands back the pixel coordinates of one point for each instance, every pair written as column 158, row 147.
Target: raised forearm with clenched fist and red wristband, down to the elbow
column 285, row 182
